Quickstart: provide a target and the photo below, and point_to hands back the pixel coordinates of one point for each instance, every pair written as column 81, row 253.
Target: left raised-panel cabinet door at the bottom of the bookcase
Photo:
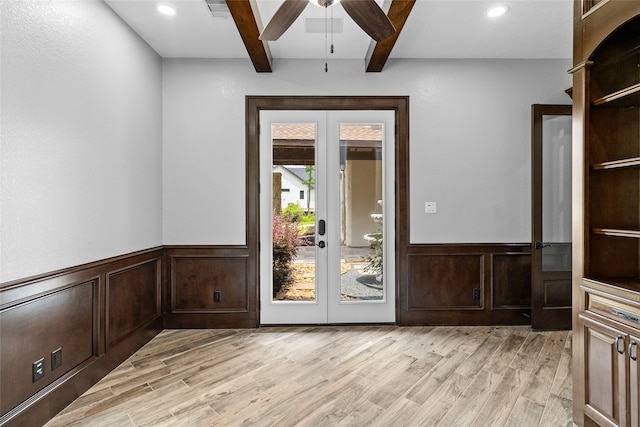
column 605, row 379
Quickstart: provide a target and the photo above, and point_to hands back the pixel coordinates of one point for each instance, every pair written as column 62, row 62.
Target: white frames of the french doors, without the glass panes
column 322, row 311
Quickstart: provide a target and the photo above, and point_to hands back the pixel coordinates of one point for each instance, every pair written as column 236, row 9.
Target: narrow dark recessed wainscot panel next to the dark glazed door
column 511, row 281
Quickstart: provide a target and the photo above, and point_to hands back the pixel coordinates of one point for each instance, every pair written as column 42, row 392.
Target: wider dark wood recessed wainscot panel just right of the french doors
column 445, row 281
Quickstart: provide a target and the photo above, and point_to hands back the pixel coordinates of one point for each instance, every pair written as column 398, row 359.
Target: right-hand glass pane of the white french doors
column 361, row 218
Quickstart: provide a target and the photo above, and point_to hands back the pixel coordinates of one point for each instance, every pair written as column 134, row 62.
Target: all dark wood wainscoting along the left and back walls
column 99, row 314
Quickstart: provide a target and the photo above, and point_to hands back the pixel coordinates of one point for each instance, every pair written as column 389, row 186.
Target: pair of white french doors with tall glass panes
column 327, row 217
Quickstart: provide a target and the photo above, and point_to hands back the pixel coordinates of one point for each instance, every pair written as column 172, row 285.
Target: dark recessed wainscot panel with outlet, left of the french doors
column 195, row 279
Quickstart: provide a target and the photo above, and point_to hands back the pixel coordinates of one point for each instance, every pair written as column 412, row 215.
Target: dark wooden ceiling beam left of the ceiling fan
column 245, row 19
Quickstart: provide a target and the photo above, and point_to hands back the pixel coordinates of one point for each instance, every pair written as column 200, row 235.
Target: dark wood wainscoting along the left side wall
column 96, row 315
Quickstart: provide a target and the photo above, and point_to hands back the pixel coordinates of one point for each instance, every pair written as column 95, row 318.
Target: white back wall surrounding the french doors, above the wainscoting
column 469, row 140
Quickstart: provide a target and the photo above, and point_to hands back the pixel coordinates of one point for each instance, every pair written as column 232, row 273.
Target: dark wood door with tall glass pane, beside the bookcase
column 551, row 217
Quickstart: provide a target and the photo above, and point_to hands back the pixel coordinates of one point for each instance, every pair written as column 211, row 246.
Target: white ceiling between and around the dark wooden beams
column 435, row 29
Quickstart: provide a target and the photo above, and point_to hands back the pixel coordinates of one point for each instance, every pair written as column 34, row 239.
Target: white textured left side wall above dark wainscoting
column 80, row 133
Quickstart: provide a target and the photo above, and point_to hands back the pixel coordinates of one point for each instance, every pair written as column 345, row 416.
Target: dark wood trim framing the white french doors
column 398, row 104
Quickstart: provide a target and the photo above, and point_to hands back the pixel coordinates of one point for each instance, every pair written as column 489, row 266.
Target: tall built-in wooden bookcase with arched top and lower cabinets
column 606, row 205
